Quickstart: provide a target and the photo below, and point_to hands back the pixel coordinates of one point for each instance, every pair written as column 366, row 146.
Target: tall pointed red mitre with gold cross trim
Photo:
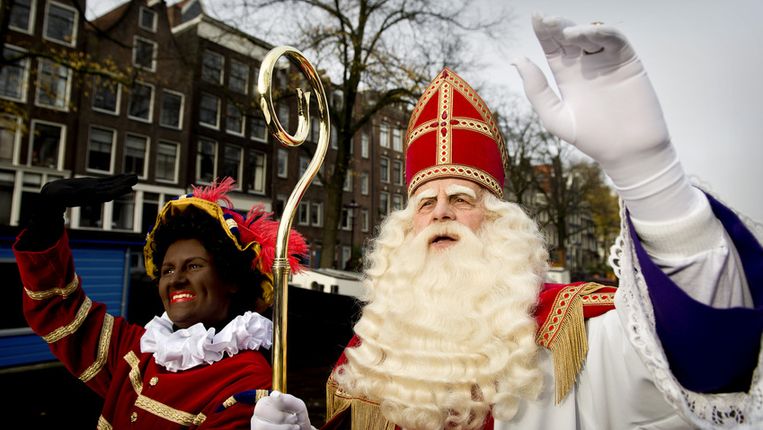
column 452, row 134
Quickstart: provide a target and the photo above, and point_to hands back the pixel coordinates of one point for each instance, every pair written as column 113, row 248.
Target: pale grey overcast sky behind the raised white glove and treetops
column 705, row 59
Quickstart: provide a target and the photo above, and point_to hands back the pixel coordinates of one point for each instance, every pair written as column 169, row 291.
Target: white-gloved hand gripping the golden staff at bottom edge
column 280, row 412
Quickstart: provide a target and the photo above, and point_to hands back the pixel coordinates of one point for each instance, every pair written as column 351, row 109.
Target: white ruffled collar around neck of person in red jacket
column 189, row 347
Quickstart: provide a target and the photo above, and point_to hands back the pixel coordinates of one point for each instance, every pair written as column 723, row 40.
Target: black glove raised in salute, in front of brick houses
column 46, row 223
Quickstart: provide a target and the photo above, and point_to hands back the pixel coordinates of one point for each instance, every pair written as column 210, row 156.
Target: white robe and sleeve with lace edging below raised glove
column 626, row 382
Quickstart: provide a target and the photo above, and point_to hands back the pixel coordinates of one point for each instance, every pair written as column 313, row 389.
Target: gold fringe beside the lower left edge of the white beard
column 365, row 415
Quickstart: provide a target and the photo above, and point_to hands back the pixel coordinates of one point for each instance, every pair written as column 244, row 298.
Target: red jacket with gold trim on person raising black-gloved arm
column 104, row 352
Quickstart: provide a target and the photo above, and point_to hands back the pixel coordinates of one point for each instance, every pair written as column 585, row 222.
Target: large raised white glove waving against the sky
column 609, row 110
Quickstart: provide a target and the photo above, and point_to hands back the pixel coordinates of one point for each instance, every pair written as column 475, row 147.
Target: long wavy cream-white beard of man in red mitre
column 447, row 335
